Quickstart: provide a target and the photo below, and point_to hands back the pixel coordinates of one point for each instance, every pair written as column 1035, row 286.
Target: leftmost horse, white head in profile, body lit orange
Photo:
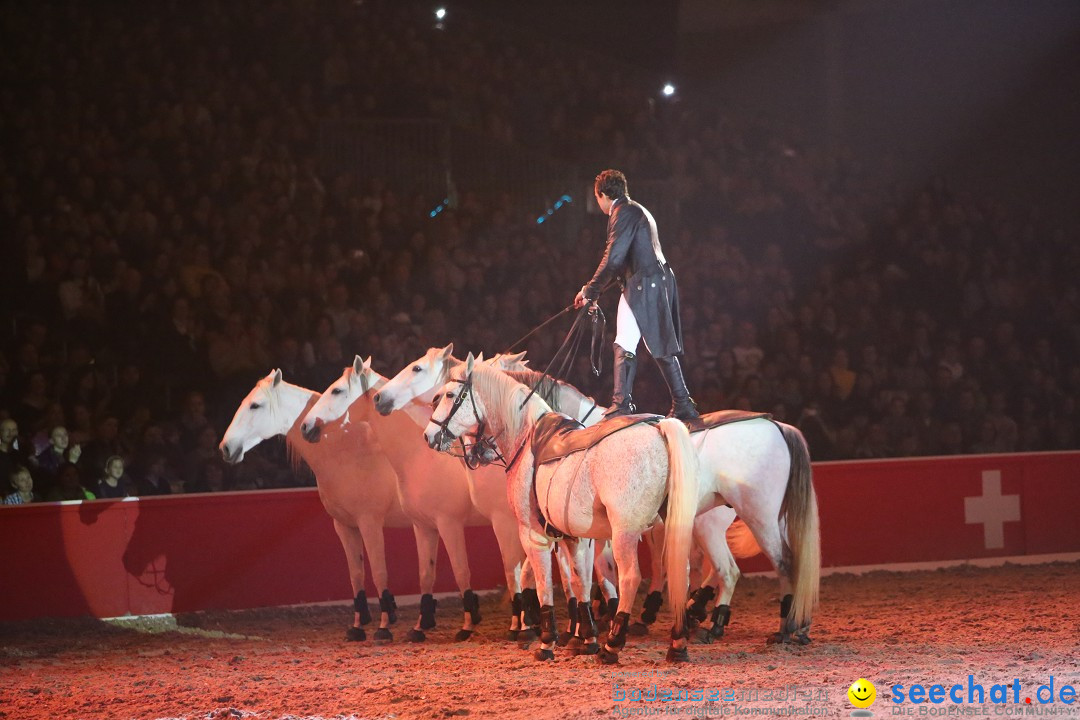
column 357, row 485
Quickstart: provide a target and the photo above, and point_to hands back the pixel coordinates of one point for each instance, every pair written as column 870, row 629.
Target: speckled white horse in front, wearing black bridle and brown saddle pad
column 615, row 491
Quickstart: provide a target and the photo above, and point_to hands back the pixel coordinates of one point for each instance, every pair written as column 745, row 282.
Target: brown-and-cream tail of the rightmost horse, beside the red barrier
column 800, row 513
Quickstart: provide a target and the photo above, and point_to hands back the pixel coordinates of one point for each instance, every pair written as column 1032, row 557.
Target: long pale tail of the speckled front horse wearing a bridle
column 682, row 510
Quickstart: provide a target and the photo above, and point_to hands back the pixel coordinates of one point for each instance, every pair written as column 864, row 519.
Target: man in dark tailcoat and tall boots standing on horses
column 649, row 307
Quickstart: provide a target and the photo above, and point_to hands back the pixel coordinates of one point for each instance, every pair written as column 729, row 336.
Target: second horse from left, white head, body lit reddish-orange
column 437, row 491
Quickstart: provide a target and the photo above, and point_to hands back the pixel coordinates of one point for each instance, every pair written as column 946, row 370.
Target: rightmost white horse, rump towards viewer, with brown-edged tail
column 759, row 469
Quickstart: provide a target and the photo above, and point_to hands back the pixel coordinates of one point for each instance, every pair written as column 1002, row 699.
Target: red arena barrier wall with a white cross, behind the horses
column 246, row 550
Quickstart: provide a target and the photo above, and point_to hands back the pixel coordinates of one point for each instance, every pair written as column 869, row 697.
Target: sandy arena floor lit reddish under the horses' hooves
column 1000, row 626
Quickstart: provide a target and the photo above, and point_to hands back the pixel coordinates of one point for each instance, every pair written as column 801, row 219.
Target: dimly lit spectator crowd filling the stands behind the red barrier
column 171, row 238
